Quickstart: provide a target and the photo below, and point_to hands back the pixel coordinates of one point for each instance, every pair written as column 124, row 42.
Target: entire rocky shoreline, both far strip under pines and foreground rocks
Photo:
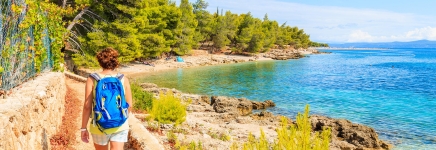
column 211, row 117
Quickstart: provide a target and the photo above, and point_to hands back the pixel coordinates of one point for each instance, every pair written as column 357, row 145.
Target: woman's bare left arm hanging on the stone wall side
column 87, row 106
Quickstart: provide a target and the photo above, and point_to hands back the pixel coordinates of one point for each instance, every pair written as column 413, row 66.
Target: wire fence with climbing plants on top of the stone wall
column 17, row 46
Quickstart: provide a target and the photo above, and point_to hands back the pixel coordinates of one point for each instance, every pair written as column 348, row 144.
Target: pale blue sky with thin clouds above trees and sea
column 340, row 21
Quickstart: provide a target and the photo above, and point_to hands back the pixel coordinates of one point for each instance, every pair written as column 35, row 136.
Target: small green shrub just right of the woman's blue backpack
column 142, row 100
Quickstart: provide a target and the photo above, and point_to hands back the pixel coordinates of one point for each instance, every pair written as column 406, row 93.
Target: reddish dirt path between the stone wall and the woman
column 78, row 88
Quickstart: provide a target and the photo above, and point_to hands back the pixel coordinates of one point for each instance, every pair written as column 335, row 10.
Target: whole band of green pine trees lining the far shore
column 152, row 28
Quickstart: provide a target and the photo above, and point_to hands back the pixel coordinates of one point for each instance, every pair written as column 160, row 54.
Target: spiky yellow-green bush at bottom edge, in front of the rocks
column 291, row 137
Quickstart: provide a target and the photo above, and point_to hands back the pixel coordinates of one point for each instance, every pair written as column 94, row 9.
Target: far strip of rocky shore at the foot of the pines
column 198, row 58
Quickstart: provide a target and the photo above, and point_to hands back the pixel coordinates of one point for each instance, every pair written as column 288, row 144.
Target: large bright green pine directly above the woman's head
column 137, row 28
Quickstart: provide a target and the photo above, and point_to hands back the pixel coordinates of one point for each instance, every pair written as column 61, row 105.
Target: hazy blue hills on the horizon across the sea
column 413, row 44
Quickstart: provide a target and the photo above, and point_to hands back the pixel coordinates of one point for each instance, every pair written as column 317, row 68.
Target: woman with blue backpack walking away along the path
column 97, row 107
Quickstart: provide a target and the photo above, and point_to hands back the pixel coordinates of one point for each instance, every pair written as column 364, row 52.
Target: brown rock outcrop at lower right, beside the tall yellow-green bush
column 347, row 135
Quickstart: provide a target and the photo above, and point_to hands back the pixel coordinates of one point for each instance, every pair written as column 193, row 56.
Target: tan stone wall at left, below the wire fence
column 33, row 113
